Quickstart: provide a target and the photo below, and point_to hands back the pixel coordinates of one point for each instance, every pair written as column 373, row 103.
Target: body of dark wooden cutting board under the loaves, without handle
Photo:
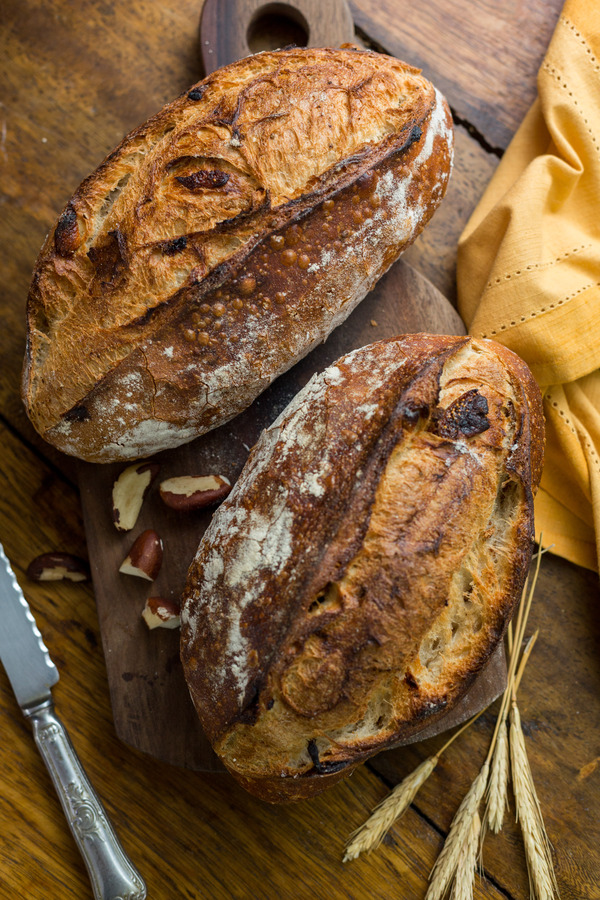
column 150, row 702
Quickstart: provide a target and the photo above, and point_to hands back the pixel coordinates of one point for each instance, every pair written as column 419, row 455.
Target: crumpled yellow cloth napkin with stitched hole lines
column 529, row 274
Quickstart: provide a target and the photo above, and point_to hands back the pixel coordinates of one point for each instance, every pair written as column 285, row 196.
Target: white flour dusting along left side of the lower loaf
column 259, row 544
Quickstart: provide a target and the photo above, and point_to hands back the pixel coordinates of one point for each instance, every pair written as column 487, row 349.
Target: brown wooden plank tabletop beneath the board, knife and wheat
column 75, row 78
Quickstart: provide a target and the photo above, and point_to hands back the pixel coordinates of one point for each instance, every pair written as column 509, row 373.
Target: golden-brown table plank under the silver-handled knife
column 190, row 835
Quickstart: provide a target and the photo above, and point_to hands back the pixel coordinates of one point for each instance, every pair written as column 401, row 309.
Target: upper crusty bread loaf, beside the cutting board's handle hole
column 222, row 240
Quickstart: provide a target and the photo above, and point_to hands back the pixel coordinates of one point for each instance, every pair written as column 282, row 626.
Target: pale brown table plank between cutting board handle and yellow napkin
column 484, row 56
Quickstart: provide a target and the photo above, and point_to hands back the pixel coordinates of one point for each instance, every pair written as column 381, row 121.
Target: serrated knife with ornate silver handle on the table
column 32, row 674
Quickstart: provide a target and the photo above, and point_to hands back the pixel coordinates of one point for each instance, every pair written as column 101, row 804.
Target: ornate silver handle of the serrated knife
column 111, row 873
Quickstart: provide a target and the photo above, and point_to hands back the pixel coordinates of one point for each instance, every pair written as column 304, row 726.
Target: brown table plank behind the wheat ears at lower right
column 561, row 718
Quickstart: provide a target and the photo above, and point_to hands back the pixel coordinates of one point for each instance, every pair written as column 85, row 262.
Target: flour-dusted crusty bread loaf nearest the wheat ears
column 367, row 562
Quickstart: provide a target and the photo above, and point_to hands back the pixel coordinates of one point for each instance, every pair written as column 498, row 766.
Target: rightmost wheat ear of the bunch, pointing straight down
column 542, row 880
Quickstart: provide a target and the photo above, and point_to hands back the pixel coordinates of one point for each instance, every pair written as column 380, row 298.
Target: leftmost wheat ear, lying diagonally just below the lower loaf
column 371, row 833
